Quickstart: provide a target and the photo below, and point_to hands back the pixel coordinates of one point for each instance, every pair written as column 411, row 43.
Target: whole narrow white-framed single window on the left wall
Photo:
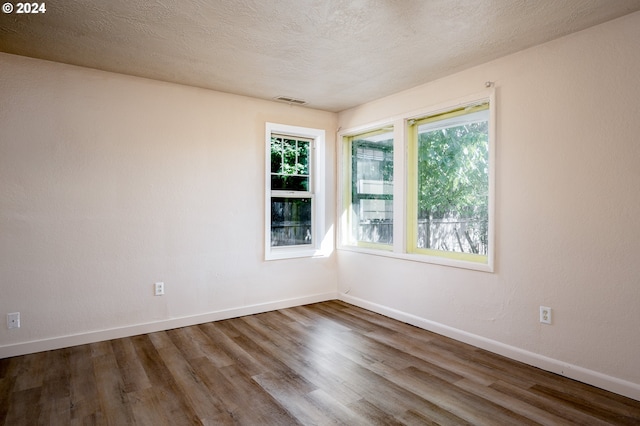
column 295, row 199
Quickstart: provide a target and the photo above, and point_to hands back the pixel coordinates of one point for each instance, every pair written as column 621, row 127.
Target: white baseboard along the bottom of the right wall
column 594, row 378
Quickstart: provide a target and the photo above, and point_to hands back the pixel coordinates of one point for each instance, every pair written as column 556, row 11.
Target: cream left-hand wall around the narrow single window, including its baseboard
column 109, row 183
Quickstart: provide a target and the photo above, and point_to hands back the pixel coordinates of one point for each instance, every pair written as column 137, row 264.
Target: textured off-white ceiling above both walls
column 334, row 54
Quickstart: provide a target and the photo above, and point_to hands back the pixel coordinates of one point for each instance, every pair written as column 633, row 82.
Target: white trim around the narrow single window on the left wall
column 320, row 244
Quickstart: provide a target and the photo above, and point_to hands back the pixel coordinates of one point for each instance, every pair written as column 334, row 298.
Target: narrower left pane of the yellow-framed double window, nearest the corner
column 372, row 187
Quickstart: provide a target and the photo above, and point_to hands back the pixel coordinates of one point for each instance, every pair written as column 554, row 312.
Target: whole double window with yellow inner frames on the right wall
column 421, row 187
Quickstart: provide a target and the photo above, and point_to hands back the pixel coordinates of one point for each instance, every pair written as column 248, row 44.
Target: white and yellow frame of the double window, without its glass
column 403, row 233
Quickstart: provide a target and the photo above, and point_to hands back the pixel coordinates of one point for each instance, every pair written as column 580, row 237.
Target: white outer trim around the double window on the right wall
column 400, row 207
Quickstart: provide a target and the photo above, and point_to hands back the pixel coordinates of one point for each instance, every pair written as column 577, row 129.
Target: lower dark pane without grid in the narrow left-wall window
column 290, row 221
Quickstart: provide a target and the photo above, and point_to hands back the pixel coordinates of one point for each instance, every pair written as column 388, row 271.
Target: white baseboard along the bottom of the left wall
column 34, row 346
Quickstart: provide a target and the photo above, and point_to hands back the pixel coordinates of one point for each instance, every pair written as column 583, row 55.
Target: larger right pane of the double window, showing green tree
column 453, row 182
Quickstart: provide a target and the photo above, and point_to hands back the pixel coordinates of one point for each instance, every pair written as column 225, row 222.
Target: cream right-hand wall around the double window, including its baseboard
column 568, row 213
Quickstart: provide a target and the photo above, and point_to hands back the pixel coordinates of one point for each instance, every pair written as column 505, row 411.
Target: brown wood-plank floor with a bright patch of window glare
column 326, row 363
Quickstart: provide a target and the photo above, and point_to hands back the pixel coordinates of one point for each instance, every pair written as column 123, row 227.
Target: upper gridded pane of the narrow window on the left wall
column 290, row 164
